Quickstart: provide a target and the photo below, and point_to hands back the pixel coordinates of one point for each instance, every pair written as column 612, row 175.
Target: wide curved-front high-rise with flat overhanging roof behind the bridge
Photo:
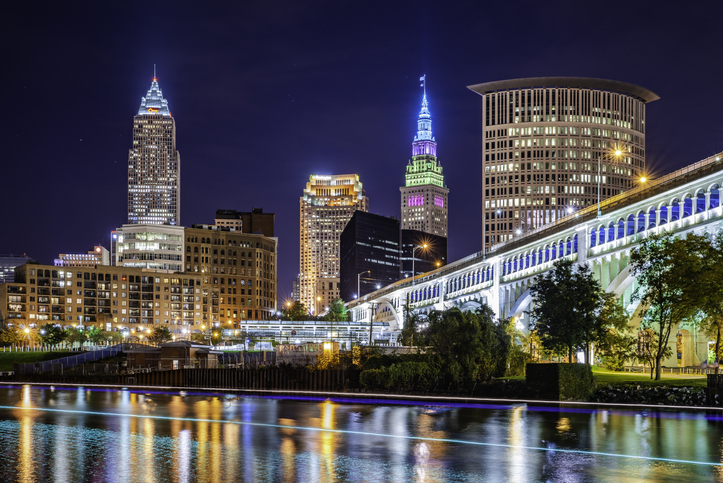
column 544, row 141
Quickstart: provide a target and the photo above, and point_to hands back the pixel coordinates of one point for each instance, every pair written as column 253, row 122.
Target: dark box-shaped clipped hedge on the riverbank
column 560, row 382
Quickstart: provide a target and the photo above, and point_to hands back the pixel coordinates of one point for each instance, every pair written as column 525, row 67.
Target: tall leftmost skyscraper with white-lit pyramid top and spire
column 154, row 164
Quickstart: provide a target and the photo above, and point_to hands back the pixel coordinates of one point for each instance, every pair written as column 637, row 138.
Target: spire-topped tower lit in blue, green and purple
column 424, row 195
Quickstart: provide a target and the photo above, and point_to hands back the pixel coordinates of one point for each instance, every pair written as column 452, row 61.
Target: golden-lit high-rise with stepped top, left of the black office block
column 325, row 208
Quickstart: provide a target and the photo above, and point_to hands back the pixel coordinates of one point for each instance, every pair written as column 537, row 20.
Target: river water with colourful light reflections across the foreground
column 81, row 434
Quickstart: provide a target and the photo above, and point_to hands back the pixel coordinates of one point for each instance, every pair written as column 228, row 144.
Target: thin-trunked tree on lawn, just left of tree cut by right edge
column 661, row 266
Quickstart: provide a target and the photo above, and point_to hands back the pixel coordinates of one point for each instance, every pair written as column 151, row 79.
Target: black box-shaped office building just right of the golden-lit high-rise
column 369, row 246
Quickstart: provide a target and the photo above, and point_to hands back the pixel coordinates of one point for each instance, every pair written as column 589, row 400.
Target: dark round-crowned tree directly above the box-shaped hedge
column 567, row 304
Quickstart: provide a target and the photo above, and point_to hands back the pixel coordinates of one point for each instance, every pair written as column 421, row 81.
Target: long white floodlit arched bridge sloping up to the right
column 687, row 200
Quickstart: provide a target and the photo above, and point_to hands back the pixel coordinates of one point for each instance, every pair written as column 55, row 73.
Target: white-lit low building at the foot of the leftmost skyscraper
column 156, row 247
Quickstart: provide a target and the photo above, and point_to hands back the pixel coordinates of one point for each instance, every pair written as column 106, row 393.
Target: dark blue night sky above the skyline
column 267, row 93
